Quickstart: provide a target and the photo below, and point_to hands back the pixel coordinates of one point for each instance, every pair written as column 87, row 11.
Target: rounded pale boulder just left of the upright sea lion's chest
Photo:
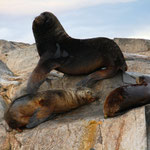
column 26, row 60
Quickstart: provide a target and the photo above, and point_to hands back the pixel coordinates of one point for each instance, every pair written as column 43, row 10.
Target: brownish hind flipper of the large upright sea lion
column 91, row 79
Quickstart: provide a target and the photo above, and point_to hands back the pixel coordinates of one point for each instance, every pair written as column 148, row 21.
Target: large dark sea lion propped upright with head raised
column 57, row 50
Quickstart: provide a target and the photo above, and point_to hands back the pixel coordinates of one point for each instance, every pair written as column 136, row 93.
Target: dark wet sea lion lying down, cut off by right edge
column 127, row 97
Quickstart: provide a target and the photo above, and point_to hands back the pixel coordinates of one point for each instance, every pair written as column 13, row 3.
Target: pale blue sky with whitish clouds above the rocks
column 80, row 18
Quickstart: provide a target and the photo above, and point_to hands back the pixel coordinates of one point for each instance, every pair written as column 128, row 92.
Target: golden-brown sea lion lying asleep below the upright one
column 30, row 110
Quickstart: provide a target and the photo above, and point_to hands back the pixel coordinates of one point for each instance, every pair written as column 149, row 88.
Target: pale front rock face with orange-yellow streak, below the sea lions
column 85, row 133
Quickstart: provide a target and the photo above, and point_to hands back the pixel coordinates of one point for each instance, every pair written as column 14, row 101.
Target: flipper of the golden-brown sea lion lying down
column 39, row 116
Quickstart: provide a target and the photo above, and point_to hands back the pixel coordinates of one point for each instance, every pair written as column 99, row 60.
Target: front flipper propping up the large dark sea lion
column 39, row 74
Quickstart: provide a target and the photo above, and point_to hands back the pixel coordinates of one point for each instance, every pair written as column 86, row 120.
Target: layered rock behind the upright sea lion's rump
column 136, row 49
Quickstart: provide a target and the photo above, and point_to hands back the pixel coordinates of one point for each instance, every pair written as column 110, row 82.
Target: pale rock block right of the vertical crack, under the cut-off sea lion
column 123, row 132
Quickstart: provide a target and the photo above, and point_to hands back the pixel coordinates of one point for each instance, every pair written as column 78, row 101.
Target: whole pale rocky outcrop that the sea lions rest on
column 79, row 129
